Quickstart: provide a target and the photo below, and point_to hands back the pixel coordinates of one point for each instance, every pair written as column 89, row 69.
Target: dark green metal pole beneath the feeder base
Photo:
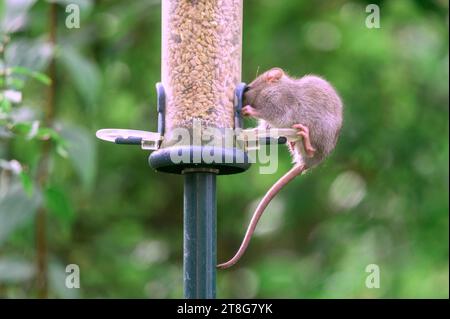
column 199, row 235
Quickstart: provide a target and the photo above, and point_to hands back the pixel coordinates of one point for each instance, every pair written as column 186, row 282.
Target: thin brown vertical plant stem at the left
column 43, row 169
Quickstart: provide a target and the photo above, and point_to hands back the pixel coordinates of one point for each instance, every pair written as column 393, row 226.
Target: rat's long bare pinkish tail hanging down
column 283, row 181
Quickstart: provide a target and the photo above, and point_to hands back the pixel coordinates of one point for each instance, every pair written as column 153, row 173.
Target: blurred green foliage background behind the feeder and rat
column 381, row 198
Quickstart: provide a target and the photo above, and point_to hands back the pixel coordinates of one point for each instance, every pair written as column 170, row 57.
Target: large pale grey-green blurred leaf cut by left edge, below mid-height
column 16, row 209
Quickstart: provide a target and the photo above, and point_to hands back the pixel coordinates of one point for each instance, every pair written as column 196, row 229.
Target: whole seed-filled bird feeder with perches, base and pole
column 200, row 89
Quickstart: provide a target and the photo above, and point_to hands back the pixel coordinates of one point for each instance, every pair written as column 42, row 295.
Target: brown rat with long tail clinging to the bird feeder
column 310, row 105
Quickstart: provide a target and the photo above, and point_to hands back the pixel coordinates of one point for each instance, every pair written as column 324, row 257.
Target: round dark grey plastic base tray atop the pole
column 225, row 161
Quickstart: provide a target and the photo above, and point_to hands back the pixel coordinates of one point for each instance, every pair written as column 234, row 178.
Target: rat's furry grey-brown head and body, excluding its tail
column 282, row 101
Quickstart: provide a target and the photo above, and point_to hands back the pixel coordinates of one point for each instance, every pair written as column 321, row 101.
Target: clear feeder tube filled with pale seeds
column 201, row 61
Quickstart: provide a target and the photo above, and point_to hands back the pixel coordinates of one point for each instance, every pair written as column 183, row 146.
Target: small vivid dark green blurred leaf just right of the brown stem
column 58, row 204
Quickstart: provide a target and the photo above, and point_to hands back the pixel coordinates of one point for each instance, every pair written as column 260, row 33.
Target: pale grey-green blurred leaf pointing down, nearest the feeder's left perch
column 82, row 153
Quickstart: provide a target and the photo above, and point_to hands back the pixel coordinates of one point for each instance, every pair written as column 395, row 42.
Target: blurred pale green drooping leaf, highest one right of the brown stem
column 84, row 74
